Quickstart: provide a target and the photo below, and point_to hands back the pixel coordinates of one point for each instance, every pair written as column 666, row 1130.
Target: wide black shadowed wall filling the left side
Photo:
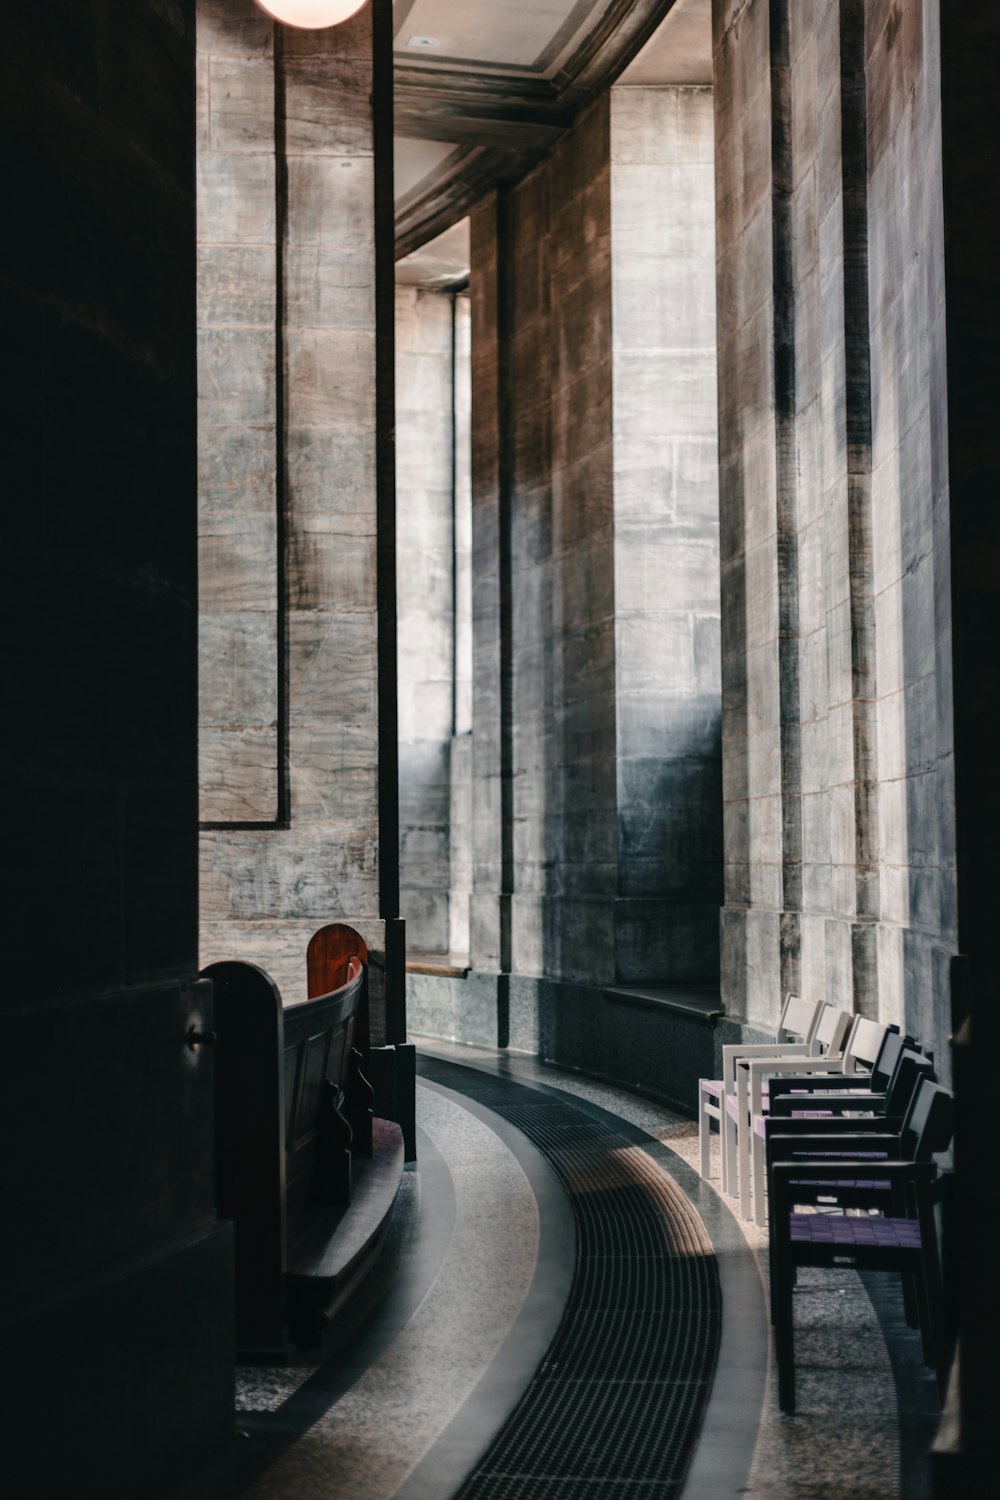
column 115, row 1277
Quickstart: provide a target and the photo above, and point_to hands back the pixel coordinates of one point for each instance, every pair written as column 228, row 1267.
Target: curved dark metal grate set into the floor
column 615, row 1408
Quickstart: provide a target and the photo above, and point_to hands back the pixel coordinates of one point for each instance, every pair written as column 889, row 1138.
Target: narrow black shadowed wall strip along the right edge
column 971, row 128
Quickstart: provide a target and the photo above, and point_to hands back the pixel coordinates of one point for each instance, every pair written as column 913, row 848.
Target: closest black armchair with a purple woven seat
column 891, row 1172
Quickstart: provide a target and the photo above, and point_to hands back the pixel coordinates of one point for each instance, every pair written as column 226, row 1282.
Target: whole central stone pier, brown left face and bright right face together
column 596, row 733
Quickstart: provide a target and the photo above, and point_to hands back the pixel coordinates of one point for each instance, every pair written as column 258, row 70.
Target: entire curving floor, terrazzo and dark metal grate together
column 521, row 1339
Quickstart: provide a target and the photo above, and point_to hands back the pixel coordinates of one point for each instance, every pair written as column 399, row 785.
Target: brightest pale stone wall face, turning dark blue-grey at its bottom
column 666, row 535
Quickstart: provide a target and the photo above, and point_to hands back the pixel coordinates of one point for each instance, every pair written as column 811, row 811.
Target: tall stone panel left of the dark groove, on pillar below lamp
column 238, row 353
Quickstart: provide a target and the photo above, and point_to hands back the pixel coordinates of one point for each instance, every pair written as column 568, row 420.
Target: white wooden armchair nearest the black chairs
column 854, row 1045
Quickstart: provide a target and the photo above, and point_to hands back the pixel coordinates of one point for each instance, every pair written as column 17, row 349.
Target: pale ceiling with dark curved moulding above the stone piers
column 487, row 88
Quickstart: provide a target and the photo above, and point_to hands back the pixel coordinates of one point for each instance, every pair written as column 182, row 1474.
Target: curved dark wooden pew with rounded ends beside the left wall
column 304, row 1171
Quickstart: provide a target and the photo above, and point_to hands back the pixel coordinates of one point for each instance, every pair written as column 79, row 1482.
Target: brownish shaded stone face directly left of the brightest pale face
column 563, row 562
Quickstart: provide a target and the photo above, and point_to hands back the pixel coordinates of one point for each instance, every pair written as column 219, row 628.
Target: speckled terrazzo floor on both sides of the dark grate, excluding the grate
column 470, row 1294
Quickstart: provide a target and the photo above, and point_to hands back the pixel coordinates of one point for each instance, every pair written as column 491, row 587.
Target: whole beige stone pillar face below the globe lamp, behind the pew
column 290, row 682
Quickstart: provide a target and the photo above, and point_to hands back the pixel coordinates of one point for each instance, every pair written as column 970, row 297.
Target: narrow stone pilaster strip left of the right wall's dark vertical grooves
column 752, row 754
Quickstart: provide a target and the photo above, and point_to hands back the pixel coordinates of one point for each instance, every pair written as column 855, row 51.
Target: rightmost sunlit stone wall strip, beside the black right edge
column 911, row 517
